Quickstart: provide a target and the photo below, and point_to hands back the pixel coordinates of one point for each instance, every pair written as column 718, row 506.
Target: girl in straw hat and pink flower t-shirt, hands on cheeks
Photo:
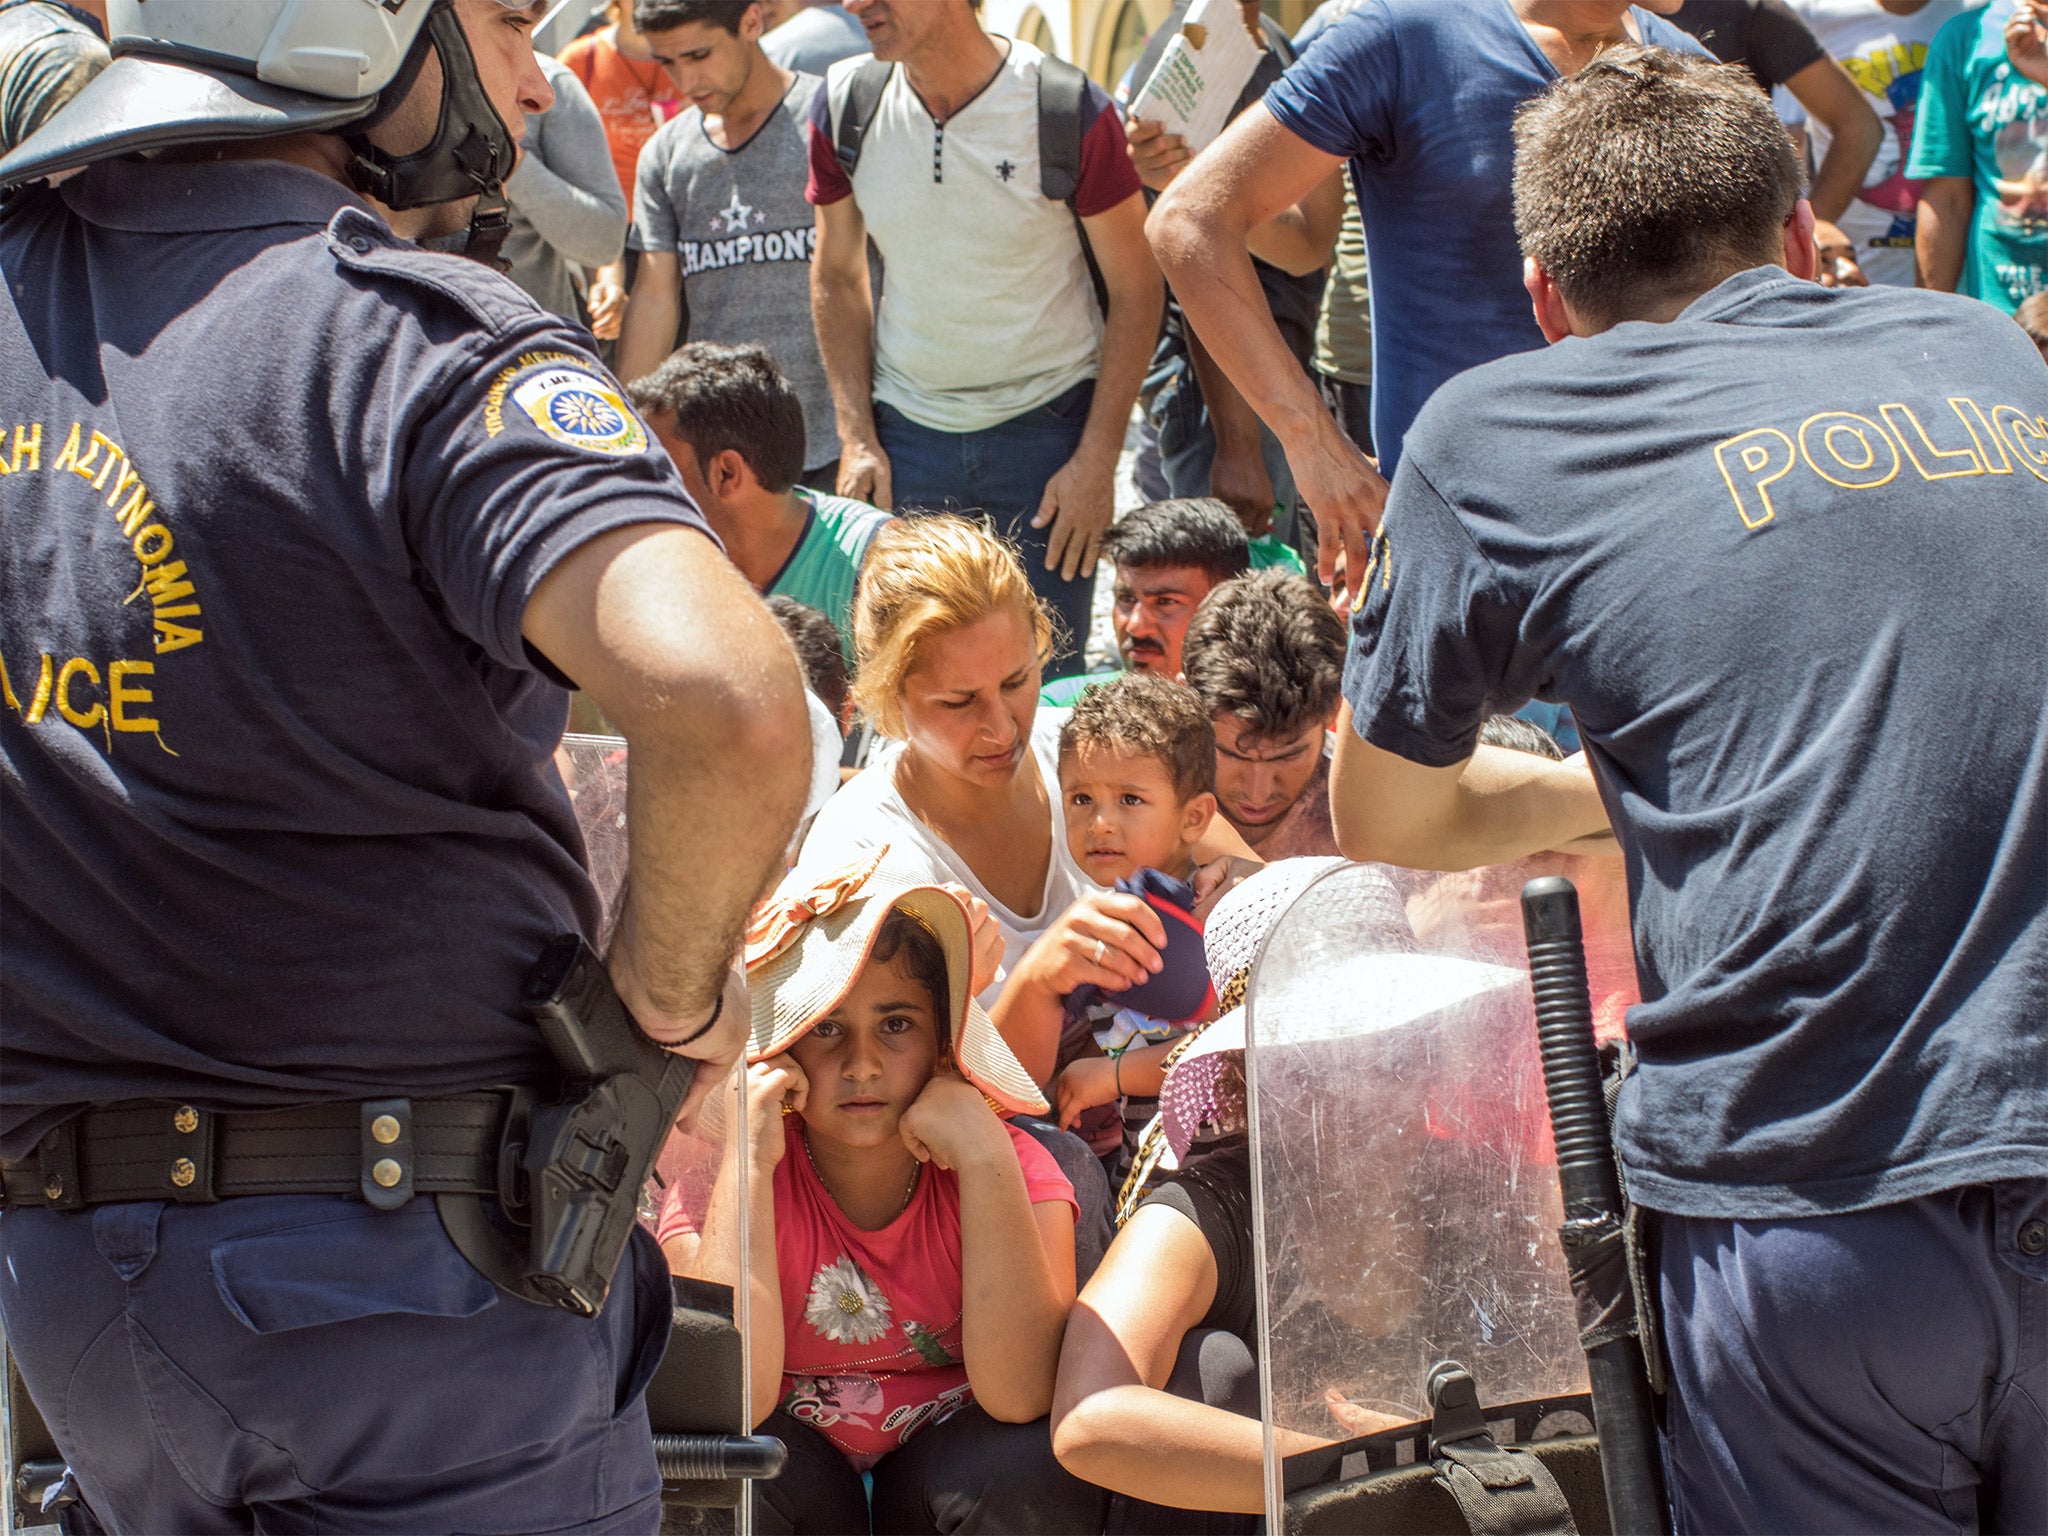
column 912, row 1254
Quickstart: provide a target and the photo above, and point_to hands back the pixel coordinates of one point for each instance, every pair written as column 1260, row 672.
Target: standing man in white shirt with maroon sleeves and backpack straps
column 986, row 378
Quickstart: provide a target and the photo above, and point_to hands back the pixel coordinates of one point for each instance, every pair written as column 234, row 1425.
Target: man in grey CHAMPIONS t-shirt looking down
column 720, row 218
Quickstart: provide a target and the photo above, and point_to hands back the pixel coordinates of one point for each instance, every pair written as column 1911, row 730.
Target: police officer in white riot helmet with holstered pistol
column 308, row 531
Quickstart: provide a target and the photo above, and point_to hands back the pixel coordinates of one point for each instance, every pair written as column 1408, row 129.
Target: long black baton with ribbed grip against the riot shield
column 1592, row 1234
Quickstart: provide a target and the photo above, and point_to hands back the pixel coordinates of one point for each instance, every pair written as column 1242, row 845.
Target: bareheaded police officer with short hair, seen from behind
column 1783, row 552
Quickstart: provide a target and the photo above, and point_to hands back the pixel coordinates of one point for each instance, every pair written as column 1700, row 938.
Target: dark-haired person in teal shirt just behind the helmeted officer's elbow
column 734, row 427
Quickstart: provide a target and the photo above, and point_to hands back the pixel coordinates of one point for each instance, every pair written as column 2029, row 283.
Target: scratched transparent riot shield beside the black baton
column 1406, row 1195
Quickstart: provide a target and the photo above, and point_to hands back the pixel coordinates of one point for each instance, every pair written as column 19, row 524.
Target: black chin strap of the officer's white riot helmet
column 470, row 155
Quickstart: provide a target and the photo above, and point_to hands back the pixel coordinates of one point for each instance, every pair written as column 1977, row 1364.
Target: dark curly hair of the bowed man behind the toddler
column 1269, row 652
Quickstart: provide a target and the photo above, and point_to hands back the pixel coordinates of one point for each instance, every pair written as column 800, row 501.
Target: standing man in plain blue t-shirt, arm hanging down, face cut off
column 1420, row 97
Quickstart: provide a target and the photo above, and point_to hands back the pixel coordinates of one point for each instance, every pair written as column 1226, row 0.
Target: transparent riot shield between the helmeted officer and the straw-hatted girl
column 697, row 1205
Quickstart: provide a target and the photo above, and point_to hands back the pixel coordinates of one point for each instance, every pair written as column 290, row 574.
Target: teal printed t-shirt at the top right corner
column 1983, row 120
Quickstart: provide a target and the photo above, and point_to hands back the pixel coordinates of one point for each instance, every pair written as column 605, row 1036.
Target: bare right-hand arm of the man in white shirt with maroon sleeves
column 1080, row 499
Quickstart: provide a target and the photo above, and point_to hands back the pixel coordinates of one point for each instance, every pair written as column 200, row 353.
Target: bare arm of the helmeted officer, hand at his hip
column 673, row 644
